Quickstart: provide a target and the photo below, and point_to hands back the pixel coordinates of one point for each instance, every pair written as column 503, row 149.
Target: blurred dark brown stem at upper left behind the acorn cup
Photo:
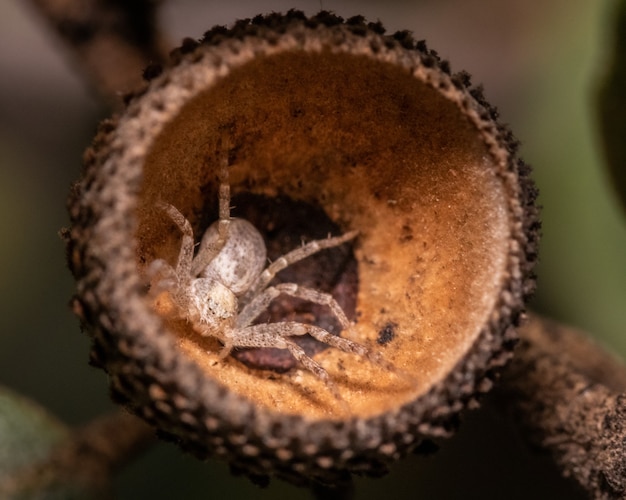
column 113, row 40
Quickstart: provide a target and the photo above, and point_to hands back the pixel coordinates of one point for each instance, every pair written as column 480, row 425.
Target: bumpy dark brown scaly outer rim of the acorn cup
column 155, row 381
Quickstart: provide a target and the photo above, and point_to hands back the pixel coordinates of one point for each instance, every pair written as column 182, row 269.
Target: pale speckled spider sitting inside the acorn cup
column 226, row 286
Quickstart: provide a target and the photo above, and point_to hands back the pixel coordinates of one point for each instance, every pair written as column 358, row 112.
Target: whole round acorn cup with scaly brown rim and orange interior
column 331, row 126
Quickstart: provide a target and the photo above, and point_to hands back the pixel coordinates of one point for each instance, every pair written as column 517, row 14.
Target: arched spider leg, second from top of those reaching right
column 262, row 301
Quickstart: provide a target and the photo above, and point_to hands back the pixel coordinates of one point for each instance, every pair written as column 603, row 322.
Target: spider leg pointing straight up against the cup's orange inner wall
column 208, row 252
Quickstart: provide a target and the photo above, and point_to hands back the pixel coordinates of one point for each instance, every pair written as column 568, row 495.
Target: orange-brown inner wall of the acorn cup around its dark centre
column 381, row 152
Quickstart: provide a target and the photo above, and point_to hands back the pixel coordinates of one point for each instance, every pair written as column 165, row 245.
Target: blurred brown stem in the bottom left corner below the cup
column 88, row 458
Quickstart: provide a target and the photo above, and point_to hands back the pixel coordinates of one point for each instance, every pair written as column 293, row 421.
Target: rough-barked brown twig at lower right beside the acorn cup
column 569, row 394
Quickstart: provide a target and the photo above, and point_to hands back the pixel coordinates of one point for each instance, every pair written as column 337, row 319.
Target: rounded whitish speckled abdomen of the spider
column 242, row 258
